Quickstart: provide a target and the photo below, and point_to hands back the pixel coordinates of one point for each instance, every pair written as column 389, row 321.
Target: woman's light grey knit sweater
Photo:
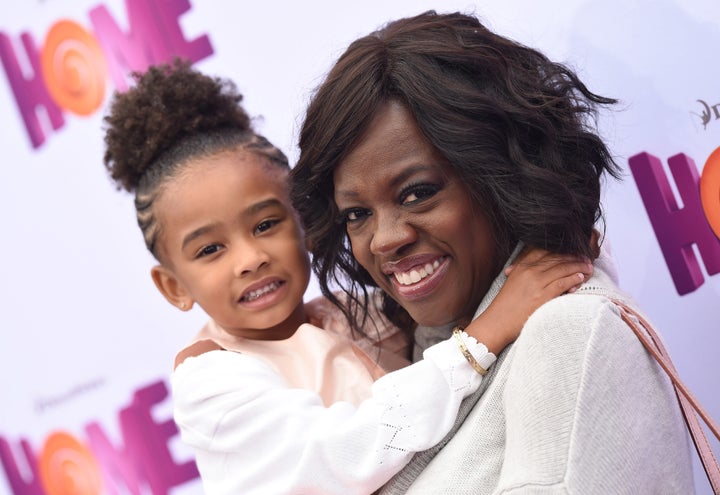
column 574, row 406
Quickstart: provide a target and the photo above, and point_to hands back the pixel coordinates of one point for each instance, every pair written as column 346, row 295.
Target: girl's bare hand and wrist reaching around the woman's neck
column 534, row 278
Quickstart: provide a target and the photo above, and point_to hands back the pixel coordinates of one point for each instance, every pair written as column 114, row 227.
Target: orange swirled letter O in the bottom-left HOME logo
column 67, row 467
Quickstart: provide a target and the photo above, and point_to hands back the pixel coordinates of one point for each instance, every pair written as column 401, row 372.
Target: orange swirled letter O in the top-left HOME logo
column 74, row 68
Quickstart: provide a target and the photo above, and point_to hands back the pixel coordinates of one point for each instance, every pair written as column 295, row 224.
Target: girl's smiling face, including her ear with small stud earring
column 231, row 242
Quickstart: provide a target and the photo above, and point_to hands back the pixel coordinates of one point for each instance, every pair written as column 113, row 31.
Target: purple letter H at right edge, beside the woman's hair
column 677, row 229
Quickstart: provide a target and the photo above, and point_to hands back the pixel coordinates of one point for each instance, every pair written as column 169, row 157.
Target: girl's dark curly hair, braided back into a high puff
column 173, row 114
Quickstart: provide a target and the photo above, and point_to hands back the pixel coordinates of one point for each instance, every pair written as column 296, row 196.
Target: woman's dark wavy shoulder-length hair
column 517, row 128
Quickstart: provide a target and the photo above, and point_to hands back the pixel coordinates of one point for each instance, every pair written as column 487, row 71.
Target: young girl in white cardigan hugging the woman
column 273, row 394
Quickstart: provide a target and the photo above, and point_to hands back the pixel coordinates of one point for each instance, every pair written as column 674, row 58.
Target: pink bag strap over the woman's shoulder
column 688, row 403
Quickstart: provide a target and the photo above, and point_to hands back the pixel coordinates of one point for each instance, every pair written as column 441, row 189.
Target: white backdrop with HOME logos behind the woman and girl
column 87, row 342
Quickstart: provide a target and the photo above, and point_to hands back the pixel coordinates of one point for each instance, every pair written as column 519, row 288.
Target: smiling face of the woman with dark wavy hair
column 412, row 223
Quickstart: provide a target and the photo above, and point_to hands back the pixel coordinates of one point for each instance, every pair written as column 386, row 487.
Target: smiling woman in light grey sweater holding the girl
column 433, row 151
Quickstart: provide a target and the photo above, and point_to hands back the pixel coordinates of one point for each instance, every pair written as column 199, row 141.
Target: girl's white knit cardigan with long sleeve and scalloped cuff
column 254, row 434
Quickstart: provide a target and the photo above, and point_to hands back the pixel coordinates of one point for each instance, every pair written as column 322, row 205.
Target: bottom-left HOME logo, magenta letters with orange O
column 144, row 459
